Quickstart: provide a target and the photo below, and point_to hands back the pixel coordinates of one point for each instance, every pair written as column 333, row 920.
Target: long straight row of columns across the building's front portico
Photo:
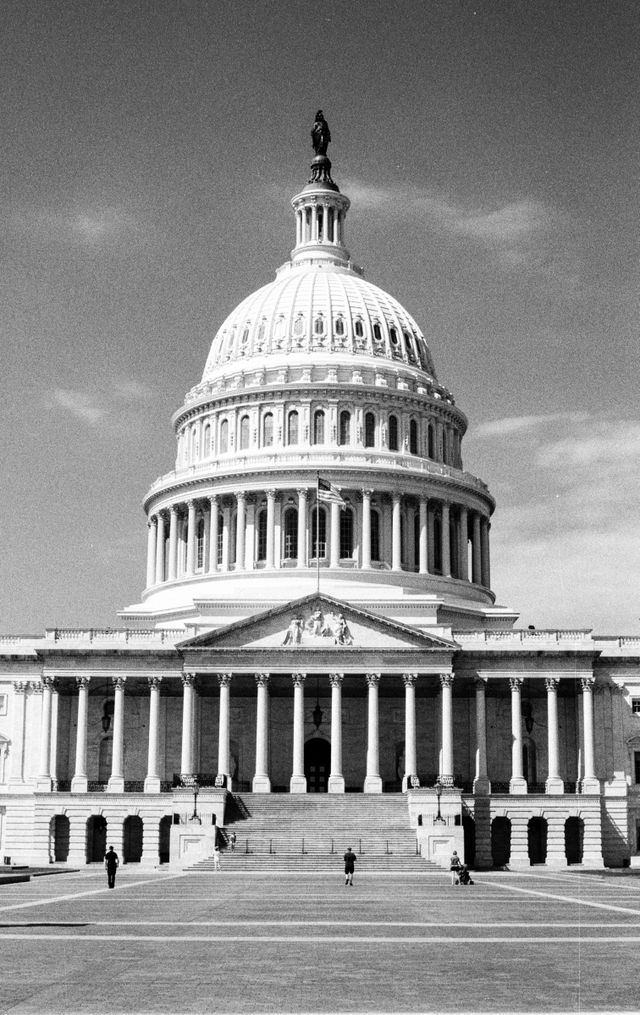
column 373, row 783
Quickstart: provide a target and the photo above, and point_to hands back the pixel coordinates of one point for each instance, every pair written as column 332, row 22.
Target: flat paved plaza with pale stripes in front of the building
column 234, row 942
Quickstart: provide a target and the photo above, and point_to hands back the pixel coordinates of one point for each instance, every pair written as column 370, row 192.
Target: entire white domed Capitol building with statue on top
column 318, row 620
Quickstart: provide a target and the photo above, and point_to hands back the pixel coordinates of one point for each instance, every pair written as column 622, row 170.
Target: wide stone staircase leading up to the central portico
column 312, row 832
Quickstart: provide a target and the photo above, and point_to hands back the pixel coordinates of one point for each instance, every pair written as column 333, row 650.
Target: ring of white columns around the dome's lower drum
column 163, row 559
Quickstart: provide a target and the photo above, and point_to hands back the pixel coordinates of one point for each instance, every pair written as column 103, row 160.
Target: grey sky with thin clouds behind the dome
column 150, row 155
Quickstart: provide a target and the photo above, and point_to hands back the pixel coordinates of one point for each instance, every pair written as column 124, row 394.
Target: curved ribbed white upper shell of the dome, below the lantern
column 319, row 311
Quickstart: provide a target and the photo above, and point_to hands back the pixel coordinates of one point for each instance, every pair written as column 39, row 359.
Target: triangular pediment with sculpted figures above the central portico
column 320, row 623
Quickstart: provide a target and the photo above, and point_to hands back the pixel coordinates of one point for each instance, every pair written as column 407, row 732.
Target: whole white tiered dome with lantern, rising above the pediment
column 318, row 449
